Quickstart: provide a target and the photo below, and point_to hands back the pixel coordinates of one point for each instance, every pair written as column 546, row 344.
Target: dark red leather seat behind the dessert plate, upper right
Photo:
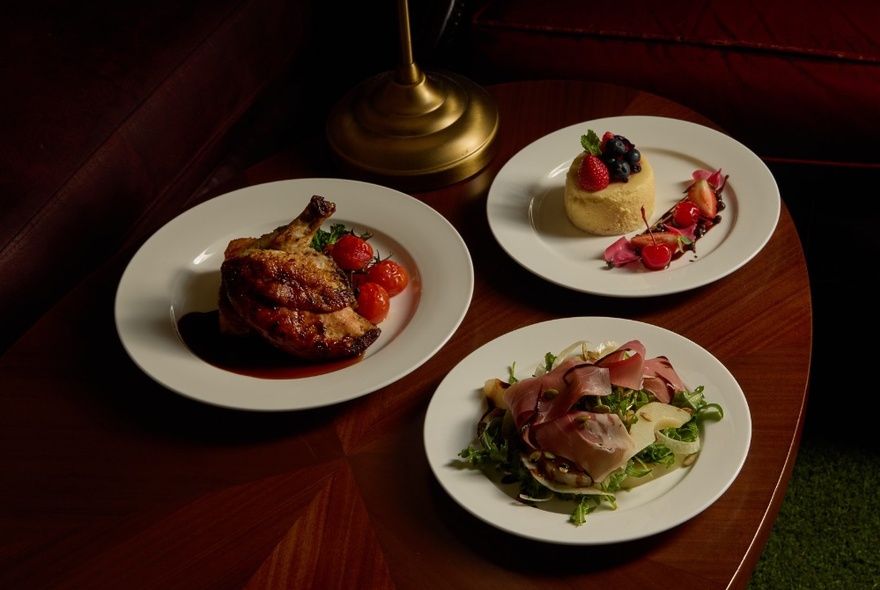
column 789, row 79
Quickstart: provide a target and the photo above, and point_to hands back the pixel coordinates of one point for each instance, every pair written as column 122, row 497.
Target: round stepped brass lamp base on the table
column 414, row 131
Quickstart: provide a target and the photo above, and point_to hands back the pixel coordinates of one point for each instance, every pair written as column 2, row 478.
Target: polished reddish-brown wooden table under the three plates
column 108, row 480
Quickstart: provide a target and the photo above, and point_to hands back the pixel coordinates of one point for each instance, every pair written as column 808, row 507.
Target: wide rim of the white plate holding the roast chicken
column 180, row 371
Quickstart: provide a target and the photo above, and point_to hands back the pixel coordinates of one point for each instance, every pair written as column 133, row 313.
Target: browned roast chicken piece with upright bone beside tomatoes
column 296, row 298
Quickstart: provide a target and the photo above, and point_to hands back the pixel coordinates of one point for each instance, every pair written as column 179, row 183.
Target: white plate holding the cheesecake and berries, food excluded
column 527, row 216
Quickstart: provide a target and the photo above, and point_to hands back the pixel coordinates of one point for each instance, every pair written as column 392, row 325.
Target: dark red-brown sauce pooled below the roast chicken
column 245, row 355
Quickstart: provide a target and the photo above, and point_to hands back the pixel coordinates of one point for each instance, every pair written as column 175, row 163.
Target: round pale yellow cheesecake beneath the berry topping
column 614, row 210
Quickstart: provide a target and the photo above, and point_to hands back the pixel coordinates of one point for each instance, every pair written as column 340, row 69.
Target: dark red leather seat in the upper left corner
column 109, row 110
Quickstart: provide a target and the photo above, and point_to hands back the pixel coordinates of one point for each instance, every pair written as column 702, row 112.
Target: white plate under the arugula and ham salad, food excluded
column 450, row 426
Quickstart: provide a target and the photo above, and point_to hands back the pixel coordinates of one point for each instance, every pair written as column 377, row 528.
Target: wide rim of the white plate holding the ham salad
column 465, row 486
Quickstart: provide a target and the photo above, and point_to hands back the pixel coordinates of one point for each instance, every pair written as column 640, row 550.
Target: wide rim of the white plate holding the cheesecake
column 560, row 147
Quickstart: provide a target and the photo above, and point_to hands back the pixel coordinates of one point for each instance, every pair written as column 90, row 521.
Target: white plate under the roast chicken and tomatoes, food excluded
column 178, row 271
